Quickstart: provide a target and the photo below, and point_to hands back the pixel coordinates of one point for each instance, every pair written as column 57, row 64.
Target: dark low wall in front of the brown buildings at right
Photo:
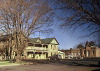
column 85, row 62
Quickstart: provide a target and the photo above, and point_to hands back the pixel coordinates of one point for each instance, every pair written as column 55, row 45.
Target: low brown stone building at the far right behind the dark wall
column 85, row 52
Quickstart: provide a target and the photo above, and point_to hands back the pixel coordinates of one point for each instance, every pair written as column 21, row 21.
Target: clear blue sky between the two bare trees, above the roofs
column 67, row 36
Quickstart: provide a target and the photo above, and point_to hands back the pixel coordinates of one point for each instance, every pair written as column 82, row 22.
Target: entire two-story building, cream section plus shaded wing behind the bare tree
column 35, row 48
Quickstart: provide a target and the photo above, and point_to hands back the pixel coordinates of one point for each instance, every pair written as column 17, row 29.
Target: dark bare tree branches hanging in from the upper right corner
column 85, row 11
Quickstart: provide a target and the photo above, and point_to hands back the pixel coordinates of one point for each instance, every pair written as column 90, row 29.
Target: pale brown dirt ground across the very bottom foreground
column 48, row 67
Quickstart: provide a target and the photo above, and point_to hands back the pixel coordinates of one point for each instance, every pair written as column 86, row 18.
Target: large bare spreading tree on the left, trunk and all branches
column 21, row 17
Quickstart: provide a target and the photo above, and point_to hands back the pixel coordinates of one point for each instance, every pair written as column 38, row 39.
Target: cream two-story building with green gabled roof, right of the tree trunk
column 41, row 48
